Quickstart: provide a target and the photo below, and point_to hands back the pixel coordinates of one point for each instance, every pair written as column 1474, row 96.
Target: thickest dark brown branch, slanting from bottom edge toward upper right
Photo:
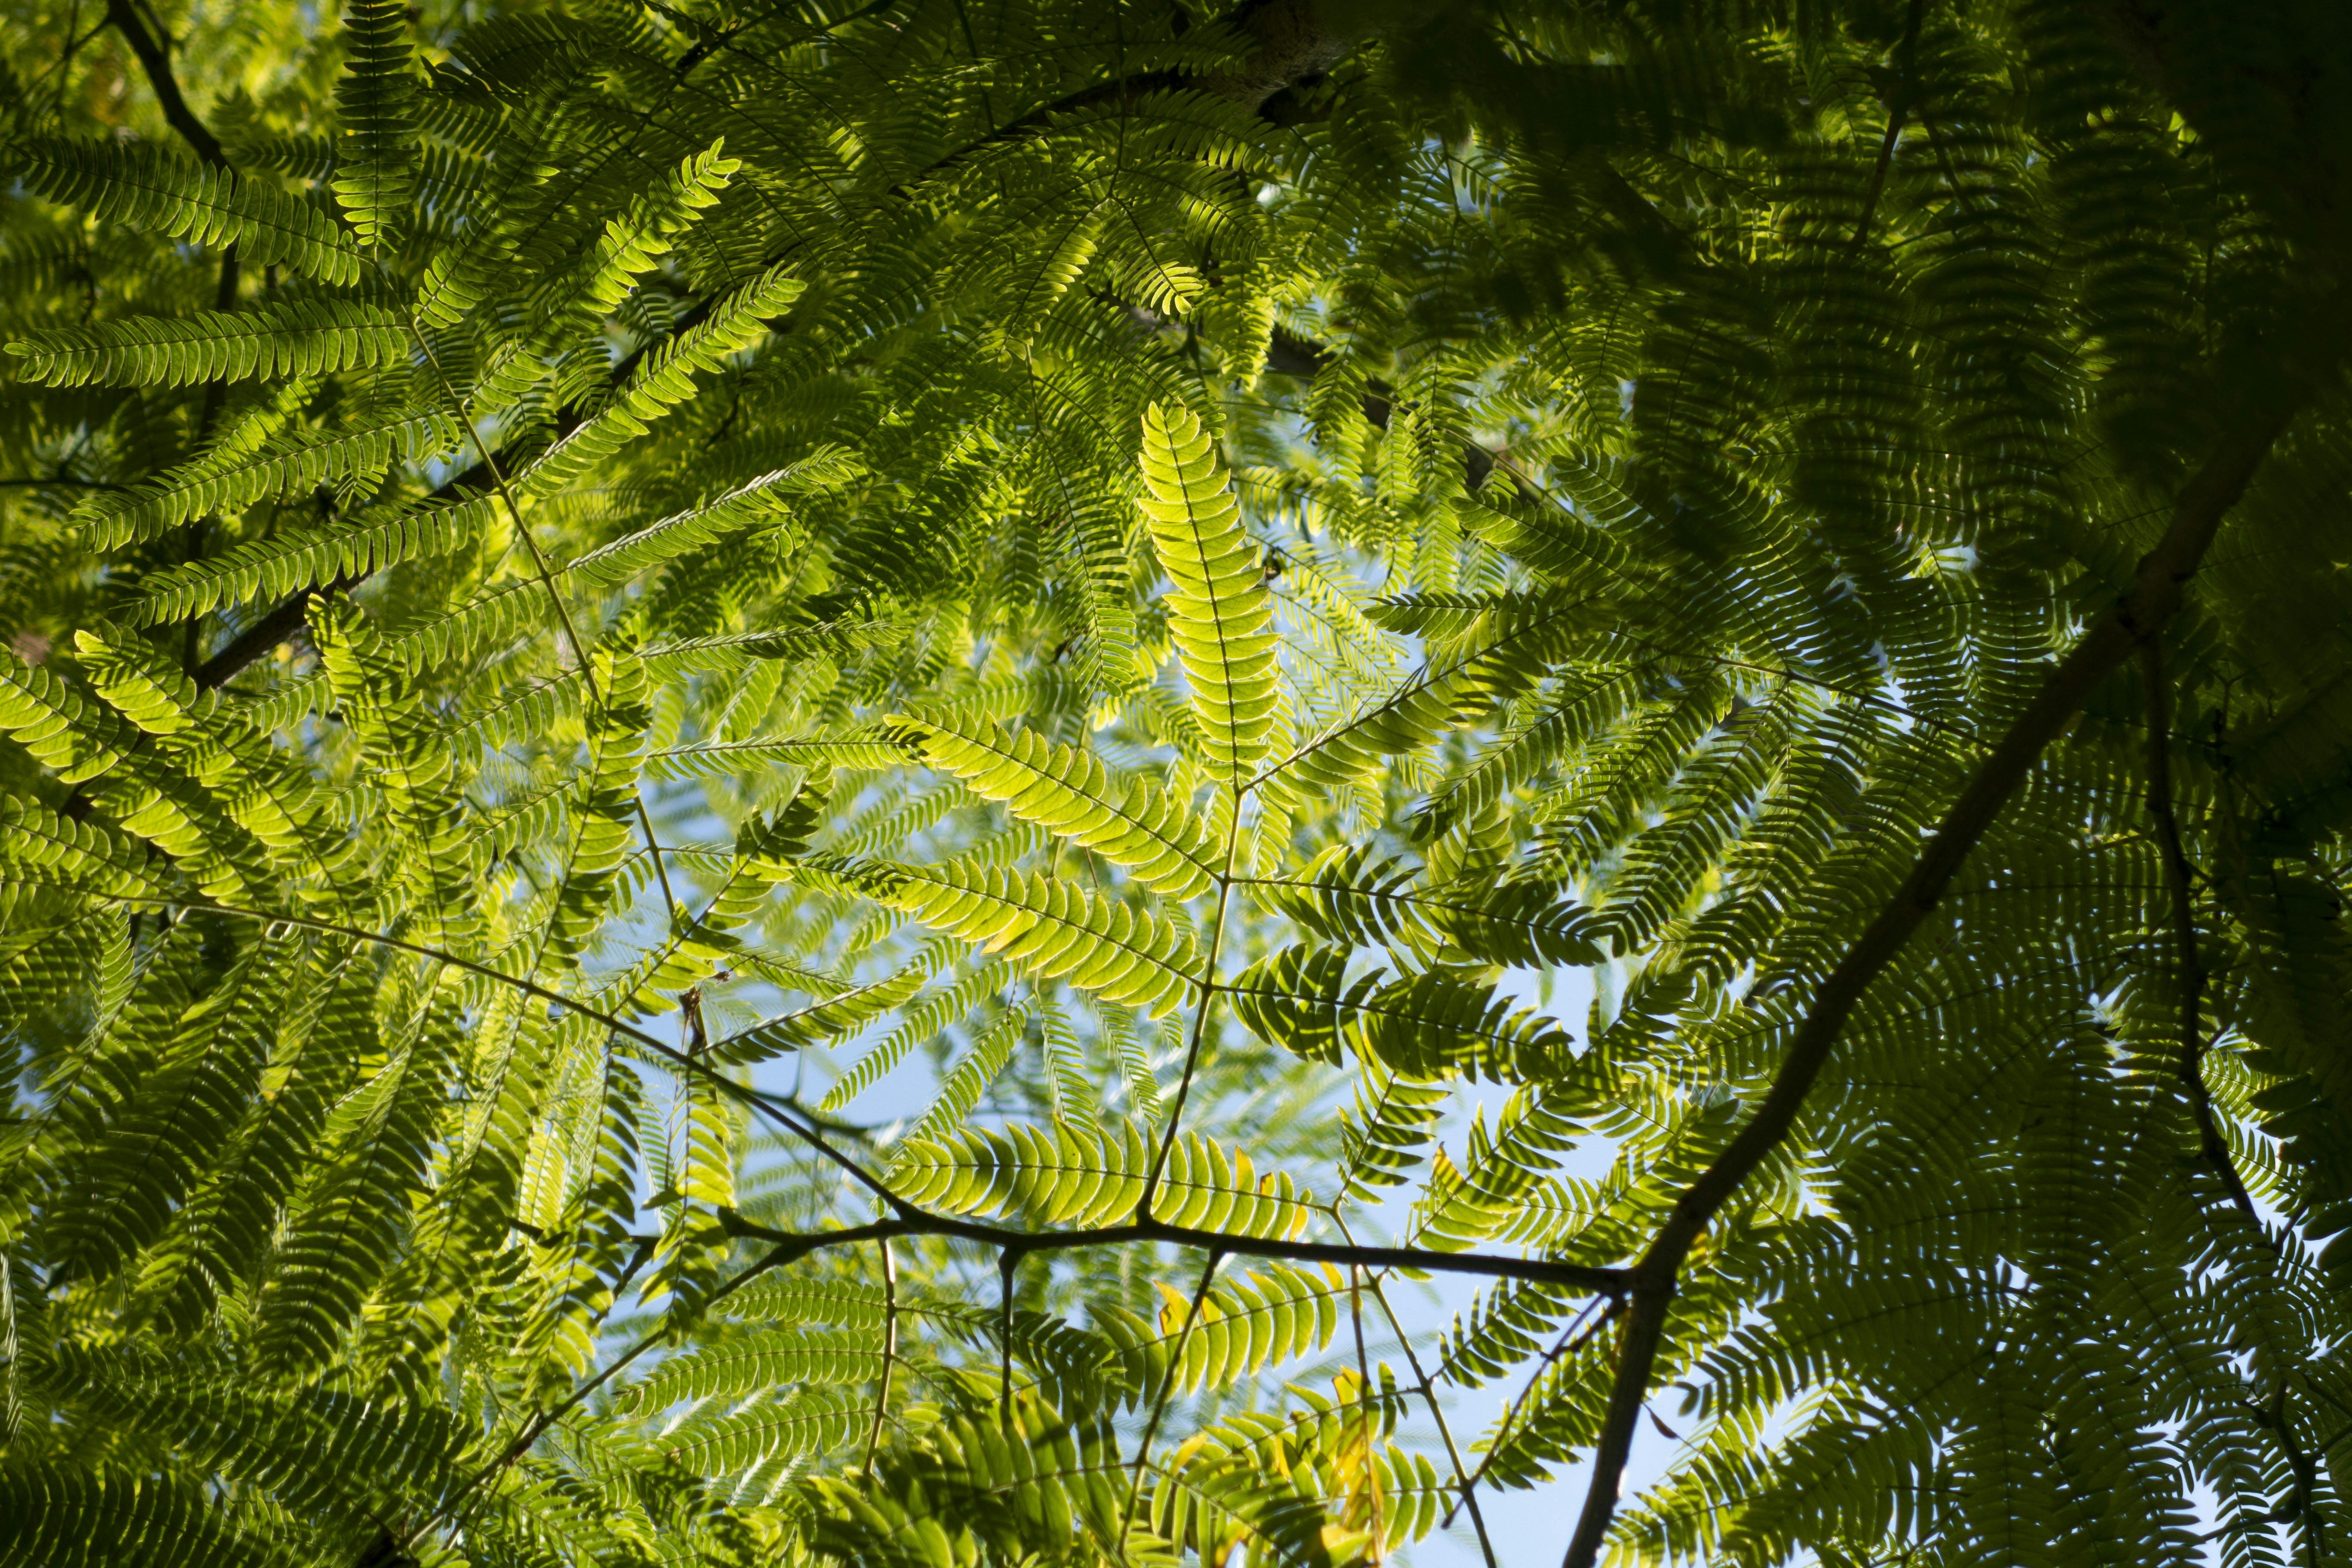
column 2102, row 652
